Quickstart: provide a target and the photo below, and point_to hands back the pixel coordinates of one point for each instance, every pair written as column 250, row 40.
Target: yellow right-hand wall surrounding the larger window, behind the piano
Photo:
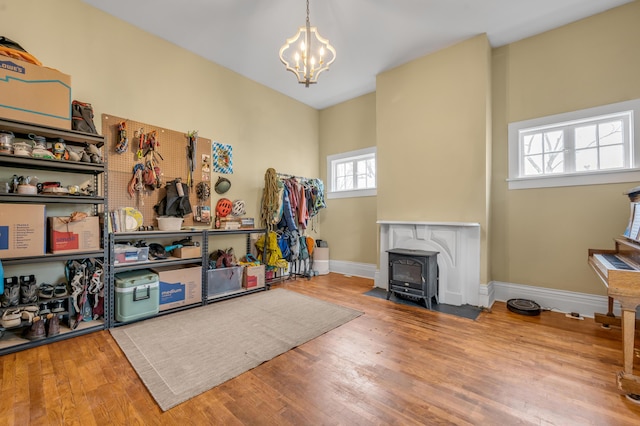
column 540, row 237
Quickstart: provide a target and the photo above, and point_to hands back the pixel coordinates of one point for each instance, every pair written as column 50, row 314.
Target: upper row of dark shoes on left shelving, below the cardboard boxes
column 25, row 290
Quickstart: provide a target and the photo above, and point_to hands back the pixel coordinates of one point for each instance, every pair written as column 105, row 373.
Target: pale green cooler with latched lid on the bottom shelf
column 137, row 295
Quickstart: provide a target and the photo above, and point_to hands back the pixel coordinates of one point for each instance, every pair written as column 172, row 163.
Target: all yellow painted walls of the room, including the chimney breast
column 429, row 119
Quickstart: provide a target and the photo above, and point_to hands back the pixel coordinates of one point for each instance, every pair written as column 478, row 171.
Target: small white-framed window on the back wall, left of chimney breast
column 352, row 174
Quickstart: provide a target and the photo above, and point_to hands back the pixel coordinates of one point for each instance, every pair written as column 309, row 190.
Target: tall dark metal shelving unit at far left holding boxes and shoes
column 98, row 172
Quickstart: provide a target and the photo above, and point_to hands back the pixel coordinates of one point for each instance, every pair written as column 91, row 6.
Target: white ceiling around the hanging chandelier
column 370, row 36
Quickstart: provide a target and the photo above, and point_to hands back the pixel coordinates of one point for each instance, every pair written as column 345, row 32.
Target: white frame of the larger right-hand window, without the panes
column 630, row 173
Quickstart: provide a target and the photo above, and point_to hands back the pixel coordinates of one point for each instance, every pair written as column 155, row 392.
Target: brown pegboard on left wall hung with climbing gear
column 172, row 159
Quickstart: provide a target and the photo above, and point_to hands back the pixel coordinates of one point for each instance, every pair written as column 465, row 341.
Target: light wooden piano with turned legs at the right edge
column 619, row 269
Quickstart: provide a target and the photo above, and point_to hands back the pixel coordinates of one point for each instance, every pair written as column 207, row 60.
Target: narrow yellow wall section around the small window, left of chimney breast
column 349, row 225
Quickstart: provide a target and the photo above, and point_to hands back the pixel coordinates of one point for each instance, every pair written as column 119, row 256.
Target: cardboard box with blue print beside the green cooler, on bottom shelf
column 179, row 286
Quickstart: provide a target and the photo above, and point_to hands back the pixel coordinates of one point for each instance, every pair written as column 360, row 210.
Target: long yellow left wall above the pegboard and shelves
column 127, row 72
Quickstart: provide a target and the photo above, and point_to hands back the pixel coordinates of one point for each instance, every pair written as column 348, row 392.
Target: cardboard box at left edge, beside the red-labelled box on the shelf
column 22, row 230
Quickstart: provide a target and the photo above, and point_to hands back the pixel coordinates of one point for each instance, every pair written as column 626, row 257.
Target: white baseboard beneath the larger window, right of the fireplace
column 552, row 299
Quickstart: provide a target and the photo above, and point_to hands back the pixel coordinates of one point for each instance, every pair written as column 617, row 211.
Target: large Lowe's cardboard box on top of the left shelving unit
column 34, row 94
